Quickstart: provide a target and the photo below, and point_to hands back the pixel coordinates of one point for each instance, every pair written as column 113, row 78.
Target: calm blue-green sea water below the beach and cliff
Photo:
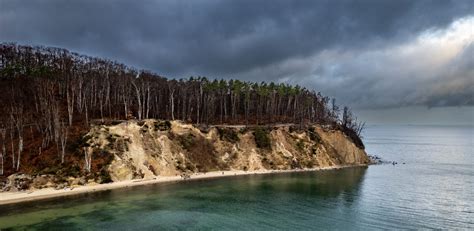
column 433, row 189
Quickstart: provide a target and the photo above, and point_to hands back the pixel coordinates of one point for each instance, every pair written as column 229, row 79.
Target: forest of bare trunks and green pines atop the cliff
column 51, row 96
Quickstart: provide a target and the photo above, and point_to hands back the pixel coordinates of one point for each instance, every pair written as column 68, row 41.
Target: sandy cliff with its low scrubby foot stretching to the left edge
column 146, row 149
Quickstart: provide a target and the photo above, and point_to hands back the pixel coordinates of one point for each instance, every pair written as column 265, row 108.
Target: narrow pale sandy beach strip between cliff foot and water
column 48, row 193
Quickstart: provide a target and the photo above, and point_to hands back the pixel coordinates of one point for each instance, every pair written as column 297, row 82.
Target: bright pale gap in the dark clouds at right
column 434, row 69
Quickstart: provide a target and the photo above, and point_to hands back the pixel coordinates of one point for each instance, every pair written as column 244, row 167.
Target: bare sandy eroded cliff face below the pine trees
column 157, row 148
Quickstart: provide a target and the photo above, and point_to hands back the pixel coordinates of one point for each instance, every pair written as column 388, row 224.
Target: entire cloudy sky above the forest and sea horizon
column 395, row 62
